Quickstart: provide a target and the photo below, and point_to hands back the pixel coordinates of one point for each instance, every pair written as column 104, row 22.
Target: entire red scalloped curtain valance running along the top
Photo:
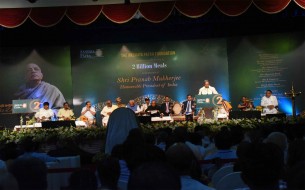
column 120, row 13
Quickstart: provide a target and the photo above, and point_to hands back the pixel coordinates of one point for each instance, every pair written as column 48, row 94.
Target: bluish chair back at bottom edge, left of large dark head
column 231, row 181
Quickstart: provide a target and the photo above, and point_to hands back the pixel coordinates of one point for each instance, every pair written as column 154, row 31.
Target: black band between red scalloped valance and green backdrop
column 177, row 27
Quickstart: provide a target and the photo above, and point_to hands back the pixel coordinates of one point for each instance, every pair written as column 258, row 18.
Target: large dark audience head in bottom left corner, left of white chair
column 30, row 173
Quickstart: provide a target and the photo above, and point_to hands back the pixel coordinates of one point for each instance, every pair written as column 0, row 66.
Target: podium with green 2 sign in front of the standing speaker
column 208, row 103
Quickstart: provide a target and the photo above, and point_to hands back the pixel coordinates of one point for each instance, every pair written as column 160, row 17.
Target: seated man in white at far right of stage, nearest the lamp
column 269, row 103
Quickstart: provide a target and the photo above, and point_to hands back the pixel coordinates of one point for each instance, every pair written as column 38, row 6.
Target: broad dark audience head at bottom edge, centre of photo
column 154, row 176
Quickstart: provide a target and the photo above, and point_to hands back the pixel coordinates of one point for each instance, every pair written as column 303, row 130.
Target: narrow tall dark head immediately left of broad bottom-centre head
column 109, row 172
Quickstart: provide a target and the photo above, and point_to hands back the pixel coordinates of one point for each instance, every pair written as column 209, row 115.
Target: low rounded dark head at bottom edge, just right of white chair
column 83, row 179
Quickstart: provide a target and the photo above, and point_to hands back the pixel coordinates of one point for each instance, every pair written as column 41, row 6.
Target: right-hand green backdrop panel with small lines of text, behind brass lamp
column 258, row 63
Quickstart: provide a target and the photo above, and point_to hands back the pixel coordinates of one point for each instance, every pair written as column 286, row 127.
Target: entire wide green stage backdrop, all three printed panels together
column 98, row 72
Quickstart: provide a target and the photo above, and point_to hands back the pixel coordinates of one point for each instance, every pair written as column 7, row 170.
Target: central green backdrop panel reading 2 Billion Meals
column 176, row 68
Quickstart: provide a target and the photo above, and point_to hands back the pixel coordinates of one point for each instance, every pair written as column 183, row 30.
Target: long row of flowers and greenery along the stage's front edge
column 79, row 135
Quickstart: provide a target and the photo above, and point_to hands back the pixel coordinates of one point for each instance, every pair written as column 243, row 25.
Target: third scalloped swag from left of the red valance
column 83, row 15
